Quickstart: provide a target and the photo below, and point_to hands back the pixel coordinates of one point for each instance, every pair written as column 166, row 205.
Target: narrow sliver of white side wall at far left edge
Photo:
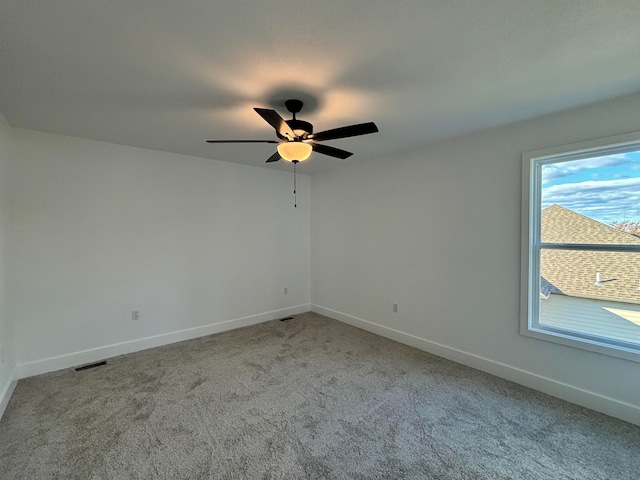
column 7, row 338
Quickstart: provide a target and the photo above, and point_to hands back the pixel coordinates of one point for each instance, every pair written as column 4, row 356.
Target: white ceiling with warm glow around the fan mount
column 168, row 75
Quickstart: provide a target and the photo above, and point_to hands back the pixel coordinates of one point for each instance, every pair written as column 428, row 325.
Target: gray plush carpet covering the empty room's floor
column 306, row 398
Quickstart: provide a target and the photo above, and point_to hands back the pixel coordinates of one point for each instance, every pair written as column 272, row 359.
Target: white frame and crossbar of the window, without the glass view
column 531, row 245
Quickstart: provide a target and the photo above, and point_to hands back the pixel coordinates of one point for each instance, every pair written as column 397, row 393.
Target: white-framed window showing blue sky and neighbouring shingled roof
column 581, row 245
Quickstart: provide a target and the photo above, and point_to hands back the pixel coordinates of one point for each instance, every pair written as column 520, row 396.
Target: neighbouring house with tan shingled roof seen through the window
column 571, row 297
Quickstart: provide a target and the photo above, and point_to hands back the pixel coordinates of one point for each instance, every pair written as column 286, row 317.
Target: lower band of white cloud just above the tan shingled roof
column 603, row 200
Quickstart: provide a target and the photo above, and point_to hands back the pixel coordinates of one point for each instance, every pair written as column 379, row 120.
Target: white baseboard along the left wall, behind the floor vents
column 46, row 365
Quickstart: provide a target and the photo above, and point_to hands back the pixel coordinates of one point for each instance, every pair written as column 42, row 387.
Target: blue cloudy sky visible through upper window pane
column 606, row 188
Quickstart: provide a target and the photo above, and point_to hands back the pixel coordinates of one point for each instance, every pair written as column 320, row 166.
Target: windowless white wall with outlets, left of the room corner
column 99, row 230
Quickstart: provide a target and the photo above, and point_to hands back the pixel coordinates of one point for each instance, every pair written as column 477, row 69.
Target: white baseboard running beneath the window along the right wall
column 609, row 406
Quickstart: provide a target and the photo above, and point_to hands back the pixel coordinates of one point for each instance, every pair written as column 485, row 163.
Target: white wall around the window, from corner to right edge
column 438, row 232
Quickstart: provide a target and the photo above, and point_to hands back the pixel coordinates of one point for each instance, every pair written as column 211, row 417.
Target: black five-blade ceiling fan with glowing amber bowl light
column 297, row 139
